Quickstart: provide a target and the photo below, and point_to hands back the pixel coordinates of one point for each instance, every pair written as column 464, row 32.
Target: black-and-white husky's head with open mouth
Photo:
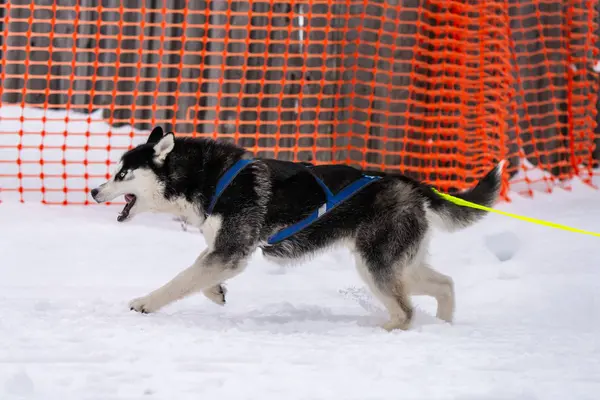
column 137, row 176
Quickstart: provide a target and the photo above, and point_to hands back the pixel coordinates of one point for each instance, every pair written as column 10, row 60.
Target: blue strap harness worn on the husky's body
column 331, row 202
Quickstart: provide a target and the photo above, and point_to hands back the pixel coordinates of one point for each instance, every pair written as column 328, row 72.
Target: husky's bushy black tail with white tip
column 451, row 217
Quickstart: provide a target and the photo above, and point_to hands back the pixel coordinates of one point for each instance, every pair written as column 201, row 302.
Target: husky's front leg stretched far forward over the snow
column 207, row 273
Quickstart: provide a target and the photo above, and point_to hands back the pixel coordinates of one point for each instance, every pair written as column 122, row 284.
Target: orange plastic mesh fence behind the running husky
column 436, row 89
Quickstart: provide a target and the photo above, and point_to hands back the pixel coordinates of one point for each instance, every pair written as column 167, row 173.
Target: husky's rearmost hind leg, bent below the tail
column 424, row 280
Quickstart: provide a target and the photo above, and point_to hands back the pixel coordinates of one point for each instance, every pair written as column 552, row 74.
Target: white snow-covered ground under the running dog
column 526, row 328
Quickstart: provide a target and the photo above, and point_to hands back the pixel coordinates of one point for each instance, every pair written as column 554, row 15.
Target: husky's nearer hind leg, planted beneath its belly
column 388, row 286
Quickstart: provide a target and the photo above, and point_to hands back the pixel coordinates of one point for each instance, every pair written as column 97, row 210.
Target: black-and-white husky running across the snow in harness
column 387, row 224
